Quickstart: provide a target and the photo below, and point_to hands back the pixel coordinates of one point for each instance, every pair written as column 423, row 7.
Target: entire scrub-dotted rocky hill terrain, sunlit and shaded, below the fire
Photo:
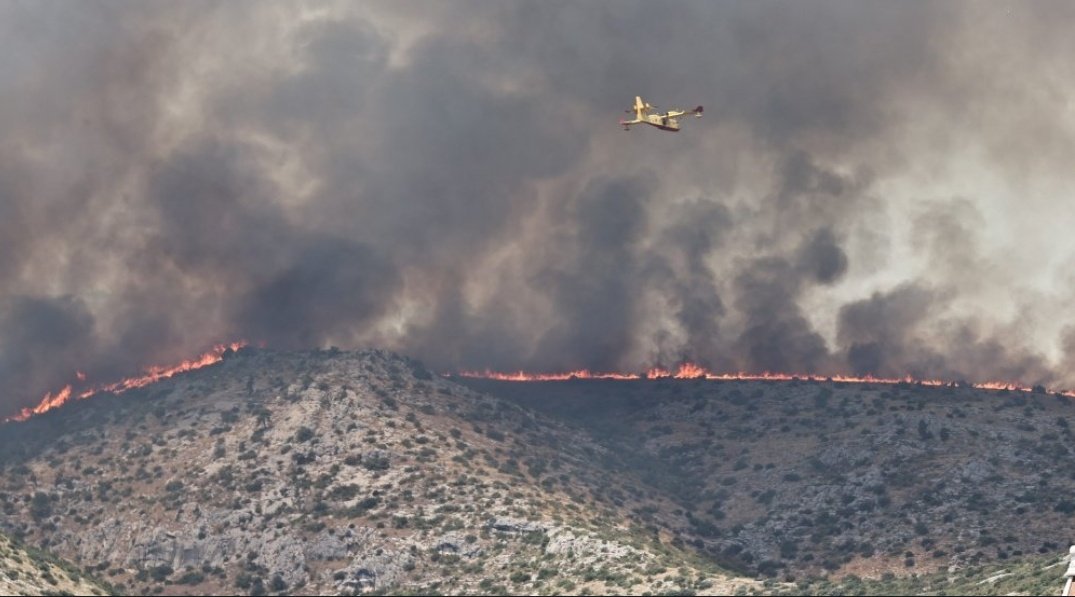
column 348, row 473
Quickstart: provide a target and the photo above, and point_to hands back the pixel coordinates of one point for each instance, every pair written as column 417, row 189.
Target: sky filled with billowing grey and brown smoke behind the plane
column 881, row 188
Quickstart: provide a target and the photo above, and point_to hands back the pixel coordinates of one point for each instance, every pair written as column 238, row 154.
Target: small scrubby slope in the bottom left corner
column 30, row 572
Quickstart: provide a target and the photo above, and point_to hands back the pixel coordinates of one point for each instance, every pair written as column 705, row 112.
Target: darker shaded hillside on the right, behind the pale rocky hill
column 799, row 479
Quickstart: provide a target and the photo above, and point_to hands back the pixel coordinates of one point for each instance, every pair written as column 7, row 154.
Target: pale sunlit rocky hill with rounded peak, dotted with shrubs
column 336, row 473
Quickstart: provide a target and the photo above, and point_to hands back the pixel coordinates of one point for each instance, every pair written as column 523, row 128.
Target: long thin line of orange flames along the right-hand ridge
column 692, row 372
